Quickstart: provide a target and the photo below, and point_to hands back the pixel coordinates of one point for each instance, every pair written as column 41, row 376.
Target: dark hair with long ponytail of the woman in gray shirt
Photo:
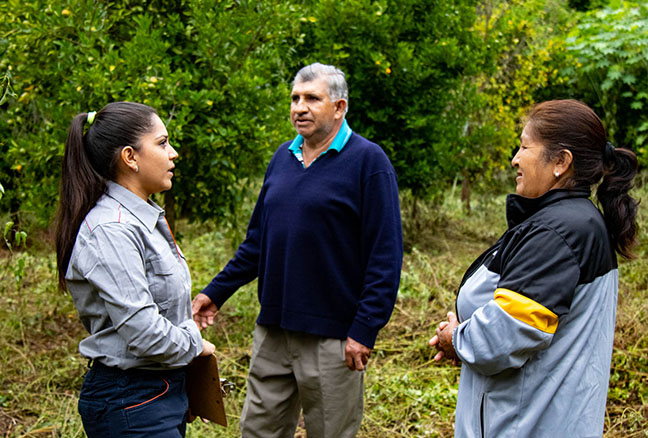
column 89, row 160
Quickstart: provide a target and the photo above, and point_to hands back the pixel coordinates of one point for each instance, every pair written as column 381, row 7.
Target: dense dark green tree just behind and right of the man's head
column 407, row 64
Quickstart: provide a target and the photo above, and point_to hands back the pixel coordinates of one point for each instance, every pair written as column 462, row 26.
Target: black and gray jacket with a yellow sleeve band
column 537, row 313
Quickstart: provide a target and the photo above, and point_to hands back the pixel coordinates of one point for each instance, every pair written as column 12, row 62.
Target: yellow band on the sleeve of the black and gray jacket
column 526, row 310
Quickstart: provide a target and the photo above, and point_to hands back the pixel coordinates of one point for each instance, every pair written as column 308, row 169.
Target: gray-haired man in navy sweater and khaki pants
column 325, row 242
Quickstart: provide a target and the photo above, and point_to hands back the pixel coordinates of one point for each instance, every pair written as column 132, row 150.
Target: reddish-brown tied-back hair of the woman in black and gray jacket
column 572, row 125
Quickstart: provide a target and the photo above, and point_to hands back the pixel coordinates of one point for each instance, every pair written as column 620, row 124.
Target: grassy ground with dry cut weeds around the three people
column 407, row 394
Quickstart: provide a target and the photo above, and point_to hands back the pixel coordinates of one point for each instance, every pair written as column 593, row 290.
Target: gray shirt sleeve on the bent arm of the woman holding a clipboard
column 114, row 265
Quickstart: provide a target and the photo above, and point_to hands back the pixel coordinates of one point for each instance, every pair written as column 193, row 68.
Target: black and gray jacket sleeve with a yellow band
column 539, row 274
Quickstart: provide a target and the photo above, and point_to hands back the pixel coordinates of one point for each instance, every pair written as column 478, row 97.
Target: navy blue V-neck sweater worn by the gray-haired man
column 325, row 242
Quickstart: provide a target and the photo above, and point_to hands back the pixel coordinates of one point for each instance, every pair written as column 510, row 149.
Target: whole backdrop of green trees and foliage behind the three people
column 441, row 86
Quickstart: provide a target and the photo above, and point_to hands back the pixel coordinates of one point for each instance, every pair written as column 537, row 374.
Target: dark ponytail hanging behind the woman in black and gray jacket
column 619, row 208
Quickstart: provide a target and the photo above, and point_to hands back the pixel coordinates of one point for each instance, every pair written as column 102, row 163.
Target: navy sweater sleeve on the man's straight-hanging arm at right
column 382, row 246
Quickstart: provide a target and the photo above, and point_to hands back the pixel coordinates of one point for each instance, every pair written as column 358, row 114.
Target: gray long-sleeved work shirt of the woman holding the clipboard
column 131, row 286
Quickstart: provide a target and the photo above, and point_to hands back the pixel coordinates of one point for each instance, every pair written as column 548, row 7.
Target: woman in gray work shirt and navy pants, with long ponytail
column 129, row 280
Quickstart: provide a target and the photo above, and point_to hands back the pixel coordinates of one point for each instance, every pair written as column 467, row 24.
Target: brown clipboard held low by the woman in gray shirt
column 204, row 390
